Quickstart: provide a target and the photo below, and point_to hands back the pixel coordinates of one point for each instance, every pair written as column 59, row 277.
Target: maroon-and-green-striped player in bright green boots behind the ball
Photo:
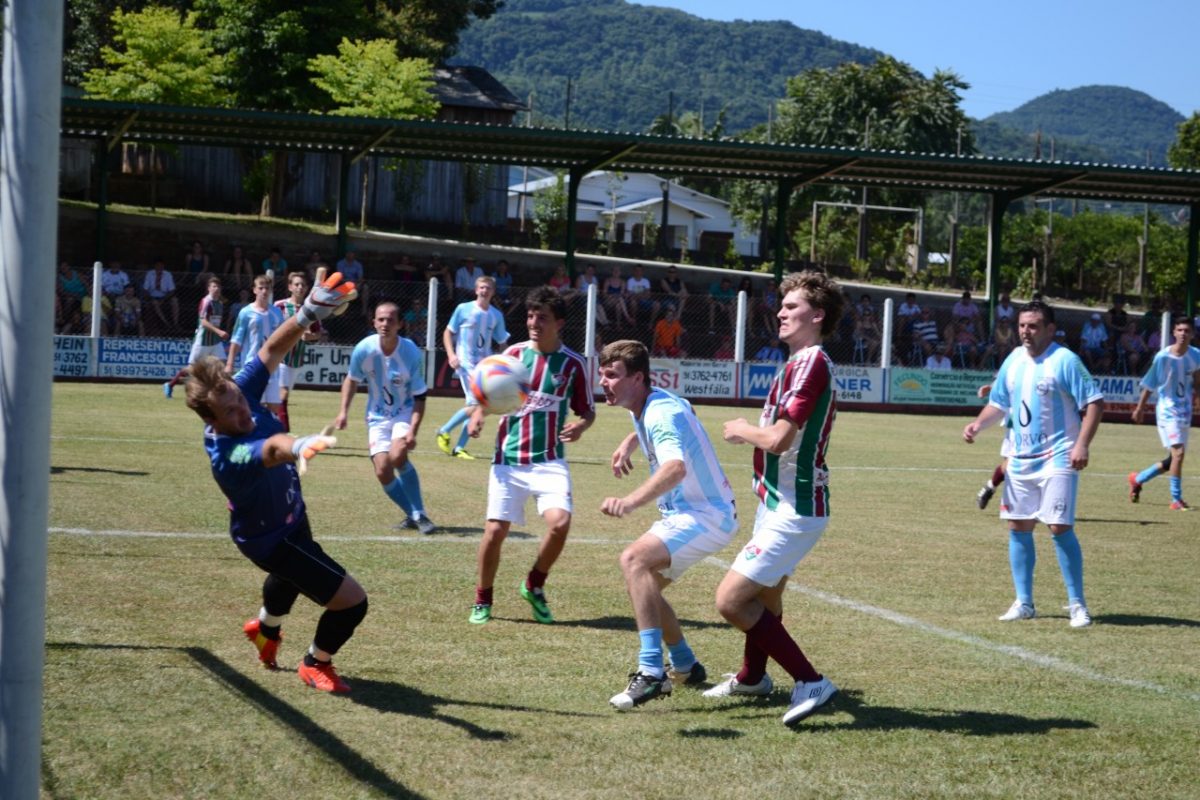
column 530, row 453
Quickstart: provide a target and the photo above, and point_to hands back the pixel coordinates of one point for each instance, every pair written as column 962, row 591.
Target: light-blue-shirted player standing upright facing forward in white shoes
column 1053, row 410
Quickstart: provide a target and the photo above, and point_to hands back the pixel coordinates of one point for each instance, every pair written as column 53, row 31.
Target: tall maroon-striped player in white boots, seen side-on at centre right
column 793, row 484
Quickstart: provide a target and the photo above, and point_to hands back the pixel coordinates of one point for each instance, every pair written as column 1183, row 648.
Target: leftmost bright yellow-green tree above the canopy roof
column 164, row 58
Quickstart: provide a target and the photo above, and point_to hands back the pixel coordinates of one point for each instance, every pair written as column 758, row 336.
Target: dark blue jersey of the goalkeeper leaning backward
column 266, row 504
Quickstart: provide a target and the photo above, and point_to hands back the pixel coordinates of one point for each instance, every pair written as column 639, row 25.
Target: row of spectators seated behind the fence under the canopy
column 674, row 320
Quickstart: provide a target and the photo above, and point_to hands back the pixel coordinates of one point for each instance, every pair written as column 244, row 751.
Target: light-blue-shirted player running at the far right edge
column 1173, row 377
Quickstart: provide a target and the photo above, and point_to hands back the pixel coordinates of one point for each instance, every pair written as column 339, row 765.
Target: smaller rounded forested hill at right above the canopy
column 1106, row 124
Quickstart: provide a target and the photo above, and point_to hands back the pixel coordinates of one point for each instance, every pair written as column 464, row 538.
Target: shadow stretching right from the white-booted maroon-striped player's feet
column 961, row 721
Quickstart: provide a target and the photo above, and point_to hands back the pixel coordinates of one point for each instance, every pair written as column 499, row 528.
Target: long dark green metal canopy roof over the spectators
column 580, row 152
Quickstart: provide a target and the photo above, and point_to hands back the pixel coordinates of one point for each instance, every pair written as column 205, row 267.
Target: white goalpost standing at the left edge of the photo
column 32, row 88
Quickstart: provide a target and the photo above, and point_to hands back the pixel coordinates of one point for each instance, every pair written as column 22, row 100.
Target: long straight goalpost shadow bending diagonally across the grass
column 357, row 766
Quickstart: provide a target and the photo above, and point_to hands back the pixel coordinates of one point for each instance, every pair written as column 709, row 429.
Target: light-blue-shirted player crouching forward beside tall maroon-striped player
column 697, row 503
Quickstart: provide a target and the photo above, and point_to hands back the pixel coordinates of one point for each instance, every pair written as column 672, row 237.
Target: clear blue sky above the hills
column 1010, row 52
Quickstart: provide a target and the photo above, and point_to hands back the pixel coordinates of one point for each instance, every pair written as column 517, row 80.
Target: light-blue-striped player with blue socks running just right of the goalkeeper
column 392, row 368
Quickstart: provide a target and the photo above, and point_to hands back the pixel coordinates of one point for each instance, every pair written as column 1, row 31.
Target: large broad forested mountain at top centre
column 625, row 62
